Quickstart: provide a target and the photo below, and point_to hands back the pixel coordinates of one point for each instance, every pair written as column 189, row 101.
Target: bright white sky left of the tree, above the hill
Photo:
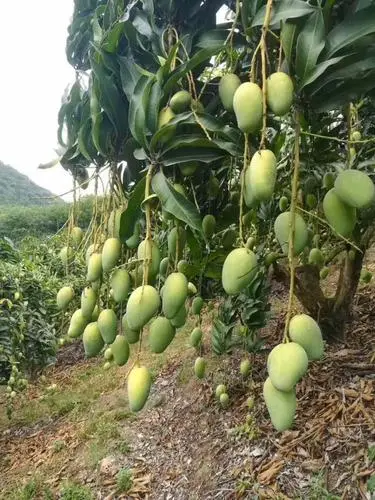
column 34, row 75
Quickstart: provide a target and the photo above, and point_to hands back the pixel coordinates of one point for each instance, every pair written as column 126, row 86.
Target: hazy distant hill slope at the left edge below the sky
column 18, row 189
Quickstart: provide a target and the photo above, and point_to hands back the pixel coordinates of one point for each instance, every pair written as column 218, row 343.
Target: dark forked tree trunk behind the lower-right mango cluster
column 332, row 313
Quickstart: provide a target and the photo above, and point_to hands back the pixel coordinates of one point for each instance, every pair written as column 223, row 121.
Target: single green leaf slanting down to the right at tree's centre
column 175, row 203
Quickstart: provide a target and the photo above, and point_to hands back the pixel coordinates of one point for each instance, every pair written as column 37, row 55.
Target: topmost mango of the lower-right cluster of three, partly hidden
column 305, row 331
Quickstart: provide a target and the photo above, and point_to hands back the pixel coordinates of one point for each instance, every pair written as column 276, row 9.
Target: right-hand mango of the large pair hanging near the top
column 279, row 92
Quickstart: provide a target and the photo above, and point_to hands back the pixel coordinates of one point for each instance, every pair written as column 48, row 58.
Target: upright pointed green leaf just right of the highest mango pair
column 310, row 43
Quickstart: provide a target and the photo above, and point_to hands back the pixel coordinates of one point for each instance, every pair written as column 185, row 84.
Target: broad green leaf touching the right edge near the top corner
column 354, row 27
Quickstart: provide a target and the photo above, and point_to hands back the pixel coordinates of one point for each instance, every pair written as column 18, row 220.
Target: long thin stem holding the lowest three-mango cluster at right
column 292, row 224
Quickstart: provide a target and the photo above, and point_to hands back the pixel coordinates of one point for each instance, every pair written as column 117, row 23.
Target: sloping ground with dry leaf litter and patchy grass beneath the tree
column 73, row 437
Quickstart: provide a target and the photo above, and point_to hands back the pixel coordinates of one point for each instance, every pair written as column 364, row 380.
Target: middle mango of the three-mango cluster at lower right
column 286, row 364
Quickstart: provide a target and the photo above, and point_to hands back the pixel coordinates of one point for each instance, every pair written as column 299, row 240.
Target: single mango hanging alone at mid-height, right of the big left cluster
column 238, row 270
